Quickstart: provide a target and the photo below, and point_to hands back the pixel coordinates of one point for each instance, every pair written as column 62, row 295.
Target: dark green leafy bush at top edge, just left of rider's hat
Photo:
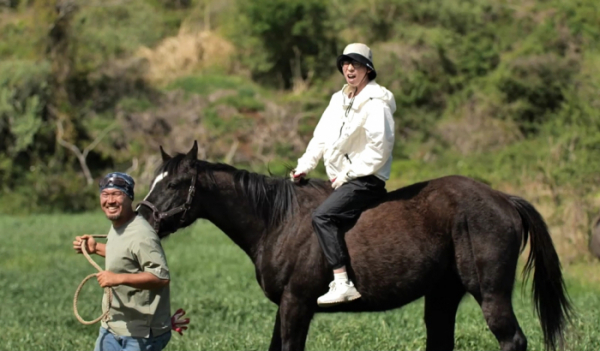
column 284, row 40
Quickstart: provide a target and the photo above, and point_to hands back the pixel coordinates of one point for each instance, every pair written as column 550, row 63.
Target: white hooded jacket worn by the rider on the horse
column 359, row 144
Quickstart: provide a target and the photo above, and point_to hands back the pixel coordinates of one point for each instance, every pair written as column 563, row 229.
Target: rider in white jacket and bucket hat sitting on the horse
column 355, row 137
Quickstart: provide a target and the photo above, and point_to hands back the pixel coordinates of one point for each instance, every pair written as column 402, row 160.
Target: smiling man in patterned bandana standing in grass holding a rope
column 136, row 270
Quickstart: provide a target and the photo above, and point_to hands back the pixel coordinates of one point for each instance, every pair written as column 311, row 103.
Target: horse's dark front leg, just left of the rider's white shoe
column 294, row 317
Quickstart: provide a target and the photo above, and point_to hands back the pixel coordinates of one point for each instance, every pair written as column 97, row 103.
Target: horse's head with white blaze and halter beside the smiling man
column 169, row 203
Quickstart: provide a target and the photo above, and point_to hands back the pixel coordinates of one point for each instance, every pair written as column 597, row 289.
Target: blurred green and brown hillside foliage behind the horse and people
column 503, row 91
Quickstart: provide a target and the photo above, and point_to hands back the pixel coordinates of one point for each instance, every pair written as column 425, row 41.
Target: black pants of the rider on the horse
column 340, row 211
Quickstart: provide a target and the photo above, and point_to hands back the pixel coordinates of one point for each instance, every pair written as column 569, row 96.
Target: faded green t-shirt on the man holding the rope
column 133, row 248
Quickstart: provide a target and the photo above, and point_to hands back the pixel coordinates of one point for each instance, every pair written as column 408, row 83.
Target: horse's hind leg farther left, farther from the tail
column 440, row 313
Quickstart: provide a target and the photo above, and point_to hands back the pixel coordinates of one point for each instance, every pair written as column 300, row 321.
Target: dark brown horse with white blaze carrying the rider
column 440, row 239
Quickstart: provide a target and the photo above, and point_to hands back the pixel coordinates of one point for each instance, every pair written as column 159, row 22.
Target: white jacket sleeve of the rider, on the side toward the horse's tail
column 379, row 128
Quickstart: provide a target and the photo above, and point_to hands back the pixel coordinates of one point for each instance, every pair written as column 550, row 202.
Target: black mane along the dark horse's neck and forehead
column 274, row 198
